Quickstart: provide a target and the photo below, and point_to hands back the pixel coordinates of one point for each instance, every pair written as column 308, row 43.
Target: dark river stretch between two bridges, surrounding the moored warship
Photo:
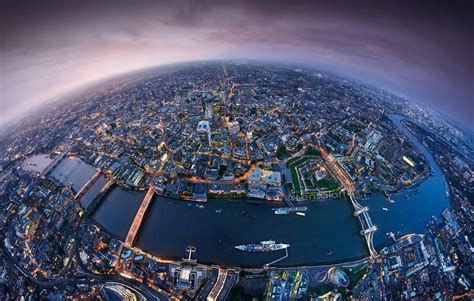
column 171, row 226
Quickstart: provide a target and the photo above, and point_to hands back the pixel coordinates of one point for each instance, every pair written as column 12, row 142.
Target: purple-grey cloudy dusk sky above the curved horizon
column 421, row 49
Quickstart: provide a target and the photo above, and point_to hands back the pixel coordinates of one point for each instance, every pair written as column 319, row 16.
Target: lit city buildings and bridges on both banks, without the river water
column 251, row 131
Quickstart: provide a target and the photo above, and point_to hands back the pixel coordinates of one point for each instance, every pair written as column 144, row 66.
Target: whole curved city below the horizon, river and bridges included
column 98, row 191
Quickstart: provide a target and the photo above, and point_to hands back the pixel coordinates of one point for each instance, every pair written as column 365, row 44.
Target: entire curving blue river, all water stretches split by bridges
column 170, row 225
